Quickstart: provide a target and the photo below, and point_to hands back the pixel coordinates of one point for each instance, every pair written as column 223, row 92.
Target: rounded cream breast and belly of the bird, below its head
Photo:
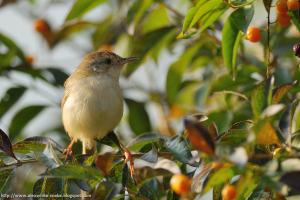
column 92, row 114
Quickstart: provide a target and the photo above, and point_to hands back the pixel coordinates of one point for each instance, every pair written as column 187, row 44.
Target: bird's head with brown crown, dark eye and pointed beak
column 104, row 63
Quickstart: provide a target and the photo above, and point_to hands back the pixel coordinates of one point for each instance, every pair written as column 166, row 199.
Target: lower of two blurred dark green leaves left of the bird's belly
column 21, row 119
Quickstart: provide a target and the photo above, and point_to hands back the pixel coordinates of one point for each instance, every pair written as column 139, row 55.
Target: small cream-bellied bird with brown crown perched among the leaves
column 93, row 104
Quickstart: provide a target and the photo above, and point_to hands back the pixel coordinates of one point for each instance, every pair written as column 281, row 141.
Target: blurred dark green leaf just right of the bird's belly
column 138, row 117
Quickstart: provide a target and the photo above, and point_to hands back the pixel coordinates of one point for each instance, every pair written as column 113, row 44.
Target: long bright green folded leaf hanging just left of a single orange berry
column 237, row 22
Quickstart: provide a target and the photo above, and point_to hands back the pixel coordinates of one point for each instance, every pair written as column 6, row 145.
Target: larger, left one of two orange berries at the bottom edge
column 180, row 184
